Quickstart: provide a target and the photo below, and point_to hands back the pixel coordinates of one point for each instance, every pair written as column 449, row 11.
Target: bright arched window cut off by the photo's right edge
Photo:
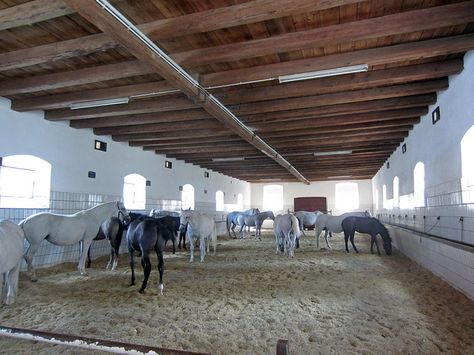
column 467, row 166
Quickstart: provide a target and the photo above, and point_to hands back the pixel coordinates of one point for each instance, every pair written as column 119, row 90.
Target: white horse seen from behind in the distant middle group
column 287, row 233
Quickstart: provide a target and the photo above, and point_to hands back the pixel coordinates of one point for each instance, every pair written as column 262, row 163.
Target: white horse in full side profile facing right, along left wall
column 59, row 229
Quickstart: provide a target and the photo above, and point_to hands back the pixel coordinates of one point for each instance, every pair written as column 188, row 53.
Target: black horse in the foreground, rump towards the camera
column 144, row 235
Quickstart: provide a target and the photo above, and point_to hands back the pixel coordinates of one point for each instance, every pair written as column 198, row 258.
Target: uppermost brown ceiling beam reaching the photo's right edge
column 377, row 27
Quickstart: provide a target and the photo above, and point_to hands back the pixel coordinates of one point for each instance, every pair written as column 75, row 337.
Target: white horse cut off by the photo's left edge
column 11, row 253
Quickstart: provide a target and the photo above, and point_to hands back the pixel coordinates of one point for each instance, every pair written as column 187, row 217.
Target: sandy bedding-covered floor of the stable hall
column 245, row 298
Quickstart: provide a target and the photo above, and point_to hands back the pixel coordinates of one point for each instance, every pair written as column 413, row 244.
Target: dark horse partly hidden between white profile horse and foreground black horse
column 112, row 230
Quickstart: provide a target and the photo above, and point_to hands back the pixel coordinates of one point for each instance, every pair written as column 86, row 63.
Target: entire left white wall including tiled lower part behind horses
column 72, row 155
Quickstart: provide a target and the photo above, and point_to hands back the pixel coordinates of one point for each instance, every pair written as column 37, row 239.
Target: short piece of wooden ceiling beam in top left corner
column 32, row 12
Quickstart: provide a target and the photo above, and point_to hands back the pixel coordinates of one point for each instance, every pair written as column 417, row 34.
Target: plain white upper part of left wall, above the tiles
column 71, row 153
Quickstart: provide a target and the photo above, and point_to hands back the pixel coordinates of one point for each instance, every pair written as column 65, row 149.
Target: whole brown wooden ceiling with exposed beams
column 55, row 53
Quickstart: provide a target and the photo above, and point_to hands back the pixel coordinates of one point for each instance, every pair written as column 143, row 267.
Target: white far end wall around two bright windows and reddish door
column 315, row 189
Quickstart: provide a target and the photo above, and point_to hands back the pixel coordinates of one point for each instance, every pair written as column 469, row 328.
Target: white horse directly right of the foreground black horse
column 199, row 226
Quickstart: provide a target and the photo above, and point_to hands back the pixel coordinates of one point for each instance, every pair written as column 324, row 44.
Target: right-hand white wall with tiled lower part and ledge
column 444, row 214
